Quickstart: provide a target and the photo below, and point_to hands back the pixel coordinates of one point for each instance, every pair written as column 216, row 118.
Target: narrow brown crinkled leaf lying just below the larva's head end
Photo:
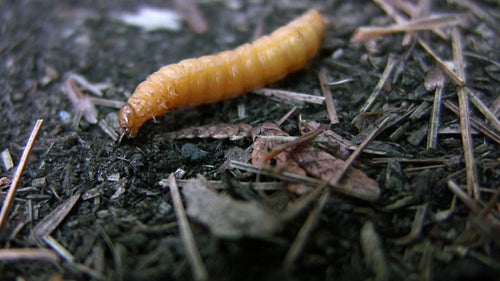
column 219, row 131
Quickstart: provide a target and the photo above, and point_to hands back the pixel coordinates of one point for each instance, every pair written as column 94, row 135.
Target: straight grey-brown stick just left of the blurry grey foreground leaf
column 192, row 253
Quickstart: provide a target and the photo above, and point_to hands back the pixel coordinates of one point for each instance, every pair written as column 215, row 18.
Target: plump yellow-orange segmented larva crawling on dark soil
column 213, row 78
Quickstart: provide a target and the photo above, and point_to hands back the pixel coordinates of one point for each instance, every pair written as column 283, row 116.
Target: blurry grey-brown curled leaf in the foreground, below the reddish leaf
column 226, row 217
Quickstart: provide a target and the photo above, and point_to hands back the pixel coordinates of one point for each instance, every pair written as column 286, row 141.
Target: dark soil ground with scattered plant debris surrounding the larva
column 94, row 202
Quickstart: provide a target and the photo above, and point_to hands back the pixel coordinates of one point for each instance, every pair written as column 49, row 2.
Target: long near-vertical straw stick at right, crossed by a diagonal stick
column 463, row 102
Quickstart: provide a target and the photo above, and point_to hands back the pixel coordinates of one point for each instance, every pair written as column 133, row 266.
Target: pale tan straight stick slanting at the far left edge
column 19, row 170
